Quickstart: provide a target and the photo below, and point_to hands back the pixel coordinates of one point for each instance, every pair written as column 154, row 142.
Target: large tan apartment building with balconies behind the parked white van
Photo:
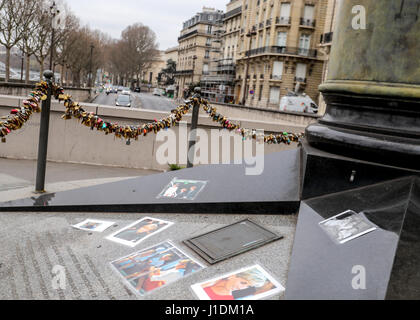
column 278, row 50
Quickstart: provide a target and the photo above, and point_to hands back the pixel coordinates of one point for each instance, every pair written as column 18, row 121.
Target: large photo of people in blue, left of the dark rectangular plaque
column 149, row 269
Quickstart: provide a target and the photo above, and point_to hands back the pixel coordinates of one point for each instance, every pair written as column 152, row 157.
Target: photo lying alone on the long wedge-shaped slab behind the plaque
column 183, row 189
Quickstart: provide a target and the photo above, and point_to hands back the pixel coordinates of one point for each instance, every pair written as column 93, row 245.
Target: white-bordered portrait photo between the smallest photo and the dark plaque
column 140, row 230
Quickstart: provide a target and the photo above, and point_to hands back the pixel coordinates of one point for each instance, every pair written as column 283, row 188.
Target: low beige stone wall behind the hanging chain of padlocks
column 69, row 141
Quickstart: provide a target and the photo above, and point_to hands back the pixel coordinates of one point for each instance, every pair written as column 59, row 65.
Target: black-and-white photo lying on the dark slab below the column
column 347, row 226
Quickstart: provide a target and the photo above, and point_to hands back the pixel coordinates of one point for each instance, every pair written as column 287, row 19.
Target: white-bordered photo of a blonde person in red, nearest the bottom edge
column 247, row 284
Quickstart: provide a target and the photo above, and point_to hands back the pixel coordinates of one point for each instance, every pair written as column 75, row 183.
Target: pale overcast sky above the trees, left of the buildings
column 164, row 17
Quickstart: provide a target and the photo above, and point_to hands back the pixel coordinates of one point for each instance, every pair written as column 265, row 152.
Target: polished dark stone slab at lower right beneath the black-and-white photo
column 322, row 269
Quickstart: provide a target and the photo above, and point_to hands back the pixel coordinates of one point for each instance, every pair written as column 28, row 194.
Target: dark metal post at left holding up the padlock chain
column 43, row 136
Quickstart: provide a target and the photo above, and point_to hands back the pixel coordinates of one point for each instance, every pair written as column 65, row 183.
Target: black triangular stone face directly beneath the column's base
column 326, row 173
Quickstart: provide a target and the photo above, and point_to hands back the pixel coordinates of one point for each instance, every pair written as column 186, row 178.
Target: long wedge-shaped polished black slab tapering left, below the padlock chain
column 228, row 190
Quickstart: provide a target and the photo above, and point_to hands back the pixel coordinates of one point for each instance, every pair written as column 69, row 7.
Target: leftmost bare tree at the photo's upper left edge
column 15, row 19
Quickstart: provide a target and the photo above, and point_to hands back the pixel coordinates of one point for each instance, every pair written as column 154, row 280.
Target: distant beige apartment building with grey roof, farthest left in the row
column 195, row 50
